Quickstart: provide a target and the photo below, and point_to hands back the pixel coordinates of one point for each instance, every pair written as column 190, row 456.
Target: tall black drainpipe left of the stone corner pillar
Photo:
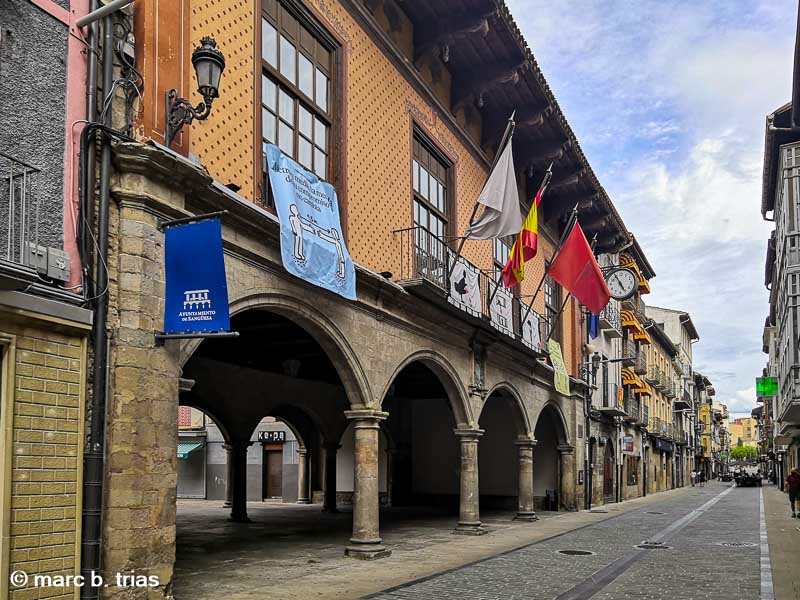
column 93, row 467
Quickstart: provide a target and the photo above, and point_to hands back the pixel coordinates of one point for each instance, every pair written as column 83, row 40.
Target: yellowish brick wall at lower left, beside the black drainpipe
column 42, row 430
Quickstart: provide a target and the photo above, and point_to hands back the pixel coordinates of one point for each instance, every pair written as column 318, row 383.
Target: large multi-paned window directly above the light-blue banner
column 296, row 106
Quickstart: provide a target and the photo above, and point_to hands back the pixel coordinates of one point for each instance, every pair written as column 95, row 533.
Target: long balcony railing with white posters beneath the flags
column 424, row 256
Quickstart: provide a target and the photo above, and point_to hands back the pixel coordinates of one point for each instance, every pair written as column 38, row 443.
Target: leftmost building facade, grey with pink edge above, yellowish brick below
column 45, row 314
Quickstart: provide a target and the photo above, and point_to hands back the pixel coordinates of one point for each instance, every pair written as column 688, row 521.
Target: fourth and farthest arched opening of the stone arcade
column 551, row 436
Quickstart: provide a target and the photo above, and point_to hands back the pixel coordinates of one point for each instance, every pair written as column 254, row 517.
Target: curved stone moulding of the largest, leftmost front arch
column 327, row 334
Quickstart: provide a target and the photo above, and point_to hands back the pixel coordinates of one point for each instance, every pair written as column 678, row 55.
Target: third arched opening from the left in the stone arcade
column 504, row 422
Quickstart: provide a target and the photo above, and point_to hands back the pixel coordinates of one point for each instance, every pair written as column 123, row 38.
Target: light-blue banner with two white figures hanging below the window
column 312, row 244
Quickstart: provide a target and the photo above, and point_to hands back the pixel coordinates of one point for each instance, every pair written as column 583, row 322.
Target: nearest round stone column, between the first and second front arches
column 366, row 542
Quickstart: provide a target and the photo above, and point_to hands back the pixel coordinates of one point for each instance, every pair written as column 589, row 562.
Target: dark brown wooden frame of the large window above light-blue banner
column 314, row 22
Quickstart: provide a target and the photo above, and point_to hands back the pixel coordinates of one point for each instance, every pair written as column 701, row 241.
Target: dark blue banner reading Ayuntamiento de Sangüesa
column 197, row 292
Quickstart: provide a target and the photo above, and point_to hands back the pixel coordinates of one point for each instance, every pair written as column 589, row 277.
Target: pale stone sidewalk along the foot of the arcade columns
column 332, row 576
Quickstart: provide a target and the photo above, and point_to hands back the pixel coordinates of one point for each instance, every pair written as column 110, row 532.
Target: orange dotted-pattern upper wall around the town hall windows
column 380, row 108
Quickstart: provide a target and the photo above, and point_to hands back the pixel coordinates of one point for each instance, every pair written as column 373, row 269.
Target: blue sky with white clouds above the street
column 668, row 99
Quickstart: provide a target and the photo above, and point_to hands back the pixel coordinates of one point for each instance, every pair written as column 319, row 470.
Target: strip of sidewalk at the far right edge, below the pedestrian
column 783, row 533
